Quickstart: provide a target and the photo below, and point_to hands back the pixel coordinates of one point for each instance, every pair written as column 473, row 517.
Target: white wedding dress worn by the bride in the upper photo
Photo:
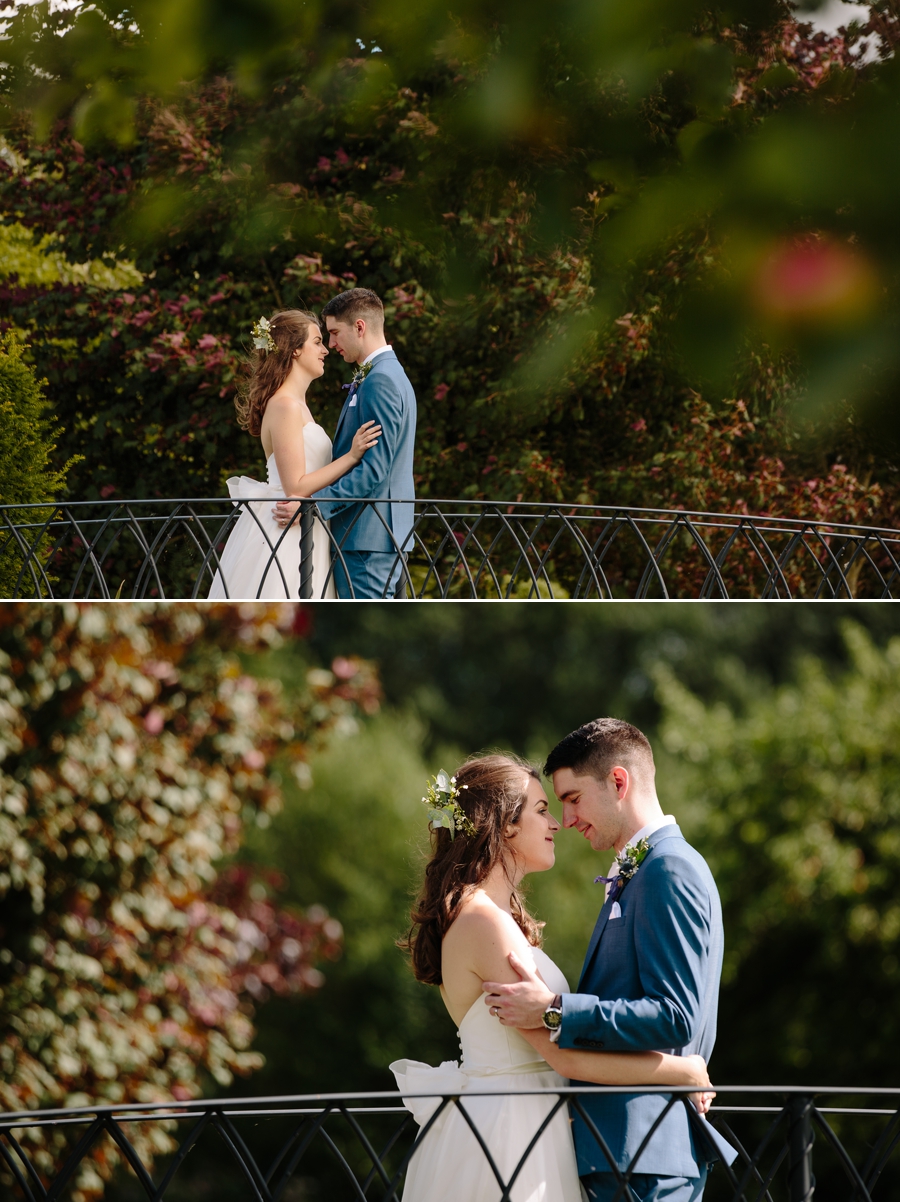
column 255, row 563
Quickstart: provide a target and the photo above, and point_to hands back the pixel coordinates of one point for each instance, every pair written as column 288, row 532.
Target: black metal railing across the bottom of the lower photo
column 792, row 1143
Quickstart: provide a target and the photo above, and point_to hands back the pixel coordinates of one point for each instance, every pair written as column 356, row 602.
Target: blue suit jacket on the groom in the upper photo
column 386, row 396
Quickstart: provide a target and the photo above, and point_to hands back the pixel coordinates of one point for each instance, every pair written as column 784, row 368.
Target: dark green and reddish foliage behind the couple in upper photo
column 552, row 212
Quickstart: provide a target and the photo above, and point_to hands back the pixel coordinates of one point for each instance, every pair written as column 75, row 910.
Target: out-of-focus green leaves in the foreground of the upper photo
column 636, row 132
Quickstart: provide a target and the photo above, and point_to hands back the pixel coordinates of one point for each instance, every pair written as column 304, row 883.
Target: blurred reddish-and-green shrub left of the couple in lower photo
column 135, row 755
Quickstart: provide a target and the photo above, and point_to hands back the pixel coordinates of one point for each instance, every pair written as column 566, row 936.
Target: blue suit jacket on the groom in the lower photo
column 651, row 983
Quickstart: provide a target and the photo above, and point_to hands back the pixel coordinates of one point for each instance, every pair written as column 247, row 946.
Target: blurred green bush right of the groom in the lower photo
column 795, row 799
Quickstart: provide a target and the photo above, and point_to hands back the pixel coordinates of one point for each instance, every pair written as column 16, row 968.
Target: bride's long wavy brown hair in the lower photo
column 492, row 795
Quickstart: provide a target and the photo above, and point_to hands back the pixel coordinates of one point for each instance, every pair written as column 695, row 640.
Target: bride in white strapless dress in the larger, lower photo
column 491, row 828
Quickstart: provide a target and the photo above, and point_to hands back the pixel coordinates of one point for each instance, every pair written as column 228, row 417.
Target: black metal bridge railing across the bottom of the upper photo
column 456, row 550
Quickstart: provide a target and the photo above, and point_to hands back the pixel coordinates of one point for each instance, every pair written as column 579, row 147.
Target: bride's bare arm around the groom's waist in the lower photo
column 619, row 1068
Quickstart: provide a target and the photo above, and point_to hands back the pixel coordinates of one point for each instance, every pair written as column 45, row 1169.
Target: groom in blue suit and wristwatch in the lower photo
column 651, row 978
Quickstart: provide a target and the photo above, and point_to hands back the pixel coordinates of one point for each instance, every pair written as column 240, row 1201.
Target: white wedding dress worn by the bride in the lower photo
column 450, row 1167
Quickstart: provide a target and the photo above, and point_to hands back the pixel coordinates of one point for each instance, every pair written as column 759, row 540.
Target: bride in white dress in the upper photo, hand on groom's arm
column 261, row 560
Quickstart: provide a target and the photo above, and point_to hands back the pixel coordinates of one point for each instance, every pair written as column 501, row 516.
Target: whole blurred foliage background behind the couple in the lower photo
column 213, row 828
